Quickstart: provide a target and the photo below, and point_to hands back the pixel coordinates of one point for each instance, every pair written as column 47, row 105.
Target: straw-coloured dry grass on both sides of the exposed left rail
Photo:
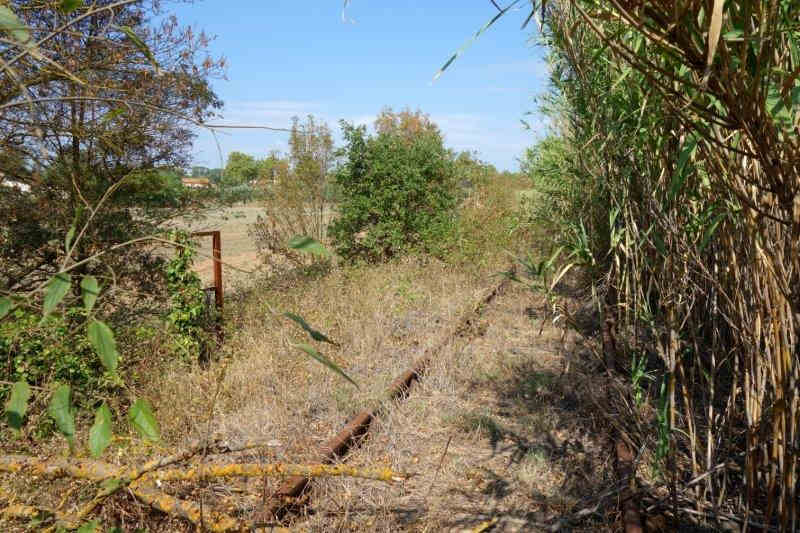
column 520, row 448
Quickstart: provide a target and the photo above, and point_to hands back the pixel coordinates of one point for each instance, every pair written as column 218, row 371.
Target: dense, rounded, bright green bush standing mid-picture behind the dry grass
column 397, row 192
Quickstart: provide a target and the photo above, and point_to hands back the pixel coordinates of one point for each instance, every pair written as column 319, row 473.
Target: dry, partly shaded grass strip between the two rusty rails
column 496, row 432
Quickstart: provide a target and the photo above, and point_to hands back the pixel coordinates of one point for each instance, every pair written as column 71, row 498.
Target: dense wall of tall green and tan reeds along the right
column 679, row 152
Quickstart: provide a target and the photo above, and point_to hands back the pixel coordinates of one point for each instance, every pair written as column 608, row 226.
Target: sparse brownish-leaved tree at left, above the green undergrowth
column 87, row 110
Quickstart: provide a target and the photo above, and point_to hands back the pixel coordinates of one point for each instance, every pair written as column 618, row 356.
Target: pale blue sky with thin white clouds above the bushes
column 289, row 58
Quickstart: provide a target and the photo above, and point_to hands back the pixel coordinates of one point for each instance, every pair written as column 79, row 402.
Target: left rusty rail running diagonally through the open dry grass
column 290, row 495
